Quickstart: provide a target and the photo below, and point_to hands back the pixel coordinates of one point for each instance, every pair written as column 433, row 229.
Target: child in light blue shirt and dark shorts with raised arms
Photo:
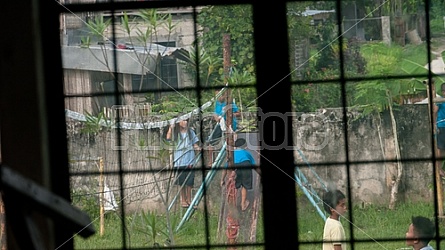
column 186, row 143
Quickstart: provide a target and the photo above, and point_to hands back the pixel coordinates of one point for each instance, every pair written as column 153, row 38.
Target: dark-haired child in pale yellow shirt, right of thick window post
column 334, row 203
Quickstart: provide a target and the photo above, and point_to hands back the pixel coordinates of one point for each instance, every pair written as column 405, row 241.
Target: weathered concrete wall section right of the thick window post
column 370, row 152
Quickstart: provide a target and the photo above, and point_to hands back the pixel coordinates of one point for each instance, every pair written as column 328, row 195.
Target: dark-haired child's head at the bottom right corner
column 420, row 232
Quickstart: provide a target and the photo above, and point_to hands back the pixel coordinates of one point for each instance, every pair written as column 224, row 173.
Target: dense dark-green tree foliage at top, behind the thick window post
column 236, row 21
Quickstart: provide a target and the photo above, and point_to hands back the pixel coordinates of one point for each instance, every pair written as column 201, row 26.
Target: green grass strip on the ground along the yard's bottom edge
column 373, row 227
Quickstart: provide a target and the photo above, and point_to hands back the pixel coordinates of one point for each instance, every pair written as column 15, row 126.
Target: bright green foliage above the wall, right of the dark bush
column 385, row 60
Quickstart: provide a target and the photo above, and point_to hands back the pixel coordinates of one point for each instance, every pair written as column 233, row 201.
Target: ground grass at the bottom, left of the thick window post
column 148, row 229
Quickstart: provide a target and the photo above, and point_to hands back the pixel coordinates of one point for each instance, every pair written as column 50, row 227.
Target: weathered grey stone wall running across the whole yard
column 320, row 151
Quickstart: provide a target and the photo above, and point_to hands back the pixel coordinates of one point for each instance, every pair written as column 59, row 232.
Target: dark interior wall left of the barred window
column 32, row 116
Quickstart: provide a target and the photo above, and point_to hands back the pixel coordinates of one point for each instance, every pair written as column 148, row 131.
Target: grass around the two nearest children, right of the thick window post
column 378, row 227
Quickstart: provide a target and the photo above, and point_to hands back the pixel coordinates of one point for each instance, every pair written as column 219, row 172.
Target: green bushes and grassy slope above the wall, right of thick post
column 371, row 60
